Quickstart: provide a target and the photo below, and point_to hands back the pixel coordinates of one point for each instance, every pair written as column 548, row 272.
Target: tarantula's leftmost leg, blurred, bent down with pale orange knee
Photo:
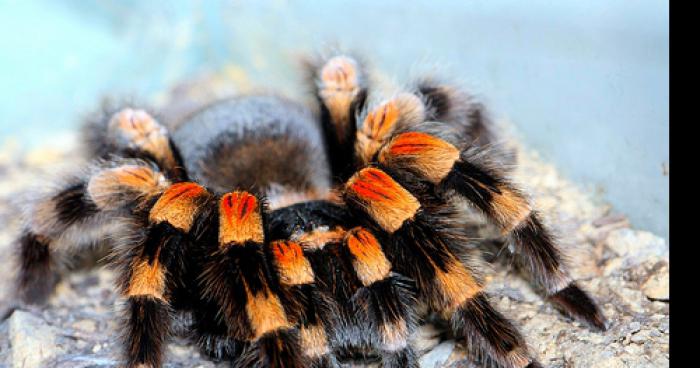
column 74, row 217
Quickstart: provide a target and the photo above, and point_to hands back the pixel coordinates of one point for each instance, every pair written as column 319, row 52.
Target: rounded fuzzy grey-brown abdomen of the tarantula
column 254, row 142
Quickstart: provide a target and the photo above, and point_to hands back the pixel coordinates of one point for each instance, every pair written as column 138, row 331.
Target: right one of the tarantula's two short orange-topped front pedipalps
column 388, row 299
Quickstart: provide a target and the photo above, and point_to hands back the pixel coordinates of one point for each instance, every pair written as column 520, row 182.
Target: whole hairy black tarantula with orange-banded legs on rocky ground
column 289, row 238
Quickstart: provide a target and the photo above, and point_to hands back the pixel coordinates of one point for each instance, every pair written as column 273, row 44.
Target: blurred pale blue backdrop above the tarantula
column 584, row 82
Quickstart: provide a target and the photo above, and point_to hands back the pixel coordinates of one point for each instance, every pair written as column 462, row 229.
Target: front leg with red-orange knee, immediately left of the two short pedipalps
column 237, row 278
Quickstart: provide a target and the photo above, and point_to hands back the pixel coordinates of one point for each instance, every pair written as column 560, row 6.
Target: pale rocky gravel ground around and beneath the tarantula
column 625, row 268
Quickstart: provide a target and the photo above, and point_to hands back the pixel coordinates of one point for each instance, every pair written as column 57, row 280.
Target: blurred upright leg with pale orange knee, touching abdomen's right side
column 341, row 89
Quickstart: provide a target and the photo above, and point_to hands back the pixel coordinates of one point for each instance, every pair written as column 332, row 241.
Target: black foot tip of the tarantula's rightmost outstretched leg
column 576, row 302
